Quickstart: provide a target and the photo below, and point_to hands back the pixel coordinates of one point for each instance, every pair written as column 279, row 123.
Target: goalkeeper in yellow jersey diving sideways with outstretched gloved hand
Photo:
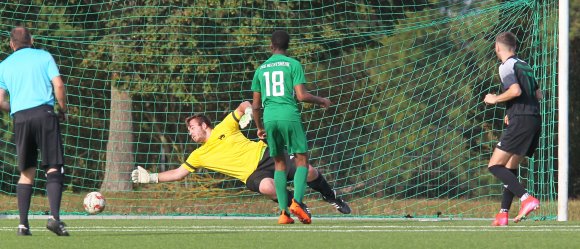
column 226, row 150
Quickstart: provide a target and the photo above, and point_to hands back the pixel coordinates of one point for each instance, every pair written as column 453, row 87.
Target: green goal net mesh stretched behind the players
column 408, row 134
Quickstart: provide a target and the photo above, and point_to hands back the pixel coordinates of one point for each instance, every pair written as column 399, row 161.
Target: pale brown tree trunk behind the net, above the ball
column 120, row 144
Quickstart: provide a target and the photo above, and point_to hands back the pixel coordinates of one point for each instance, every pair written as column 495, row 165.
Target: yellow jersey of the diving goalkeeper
column 227, row 151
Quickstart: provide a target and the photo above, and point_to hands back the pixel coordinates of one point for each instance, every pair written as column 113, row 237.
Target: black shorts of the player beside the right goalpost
column 522, row 135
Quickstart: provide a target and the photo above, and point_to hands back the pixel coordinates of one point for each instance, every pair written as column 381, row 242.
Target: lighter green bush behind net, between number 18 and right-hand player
column 432, row 142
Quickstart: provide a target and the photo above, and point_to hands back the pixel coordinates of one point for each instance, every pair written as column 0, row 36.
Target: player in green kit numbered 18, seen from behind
column 277, row 84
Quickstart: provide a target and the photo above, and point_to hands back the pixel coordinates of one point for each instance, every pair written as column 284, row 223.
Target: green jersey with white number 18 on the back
column 275, row 80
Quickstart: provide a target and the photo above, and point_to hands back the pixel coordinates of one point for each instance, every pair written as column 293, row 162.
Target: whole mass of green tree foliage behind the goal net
column 388, row 66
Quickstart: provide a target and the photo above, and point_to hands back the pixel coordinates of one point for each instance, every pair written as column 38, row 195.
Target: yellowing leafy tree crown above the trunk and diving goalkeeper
column 166, row 54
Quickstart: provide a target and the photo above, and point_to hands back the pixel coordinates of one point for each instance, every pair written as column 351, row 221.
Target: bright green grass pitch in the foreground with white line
column 265, row 233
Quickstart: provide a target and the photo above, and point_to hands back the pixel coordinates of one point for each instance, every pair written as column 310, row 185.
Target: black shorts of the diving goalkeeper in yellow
column 266, row 168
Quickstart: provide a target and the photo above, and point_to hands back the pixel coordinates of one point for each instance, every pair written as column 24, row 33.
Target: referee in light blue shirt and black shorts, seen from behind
column 32, row 80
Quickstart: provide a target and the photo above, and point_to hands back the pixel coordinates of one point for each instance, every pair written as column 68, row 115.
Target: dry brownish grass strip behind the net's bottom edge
column 143, row 203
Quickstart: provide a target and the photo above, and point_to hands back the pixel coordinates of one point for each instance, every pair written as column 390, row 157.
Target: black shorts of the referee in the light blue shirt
column 38, row 129
